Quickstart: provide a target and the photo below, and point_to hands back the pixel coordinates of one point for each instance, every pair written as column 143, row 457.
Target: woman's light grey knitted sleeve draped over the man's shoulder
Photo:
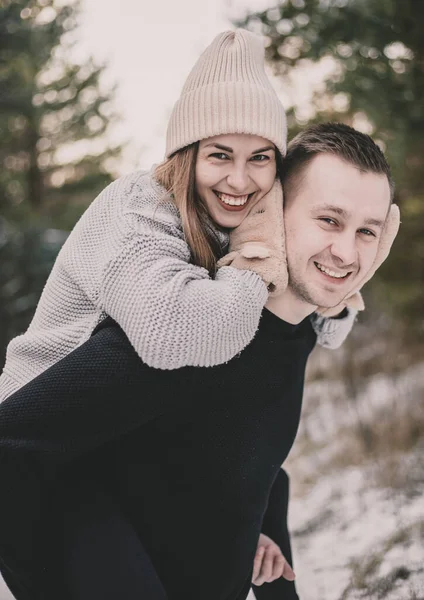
column 173, row 313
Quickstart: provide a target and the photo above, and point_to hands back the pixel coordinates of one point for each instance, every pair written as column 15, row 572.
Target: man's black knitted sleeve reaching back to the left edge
column 99, row 392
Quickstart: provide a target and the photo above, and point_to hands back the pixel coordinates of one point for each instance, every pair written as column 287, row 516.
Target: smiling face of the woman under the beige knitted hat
column 233, row 172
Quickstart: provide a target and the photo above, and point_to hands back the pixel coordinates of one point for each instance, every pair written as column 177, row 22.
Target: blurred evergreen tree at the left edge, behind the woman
column 48, row 104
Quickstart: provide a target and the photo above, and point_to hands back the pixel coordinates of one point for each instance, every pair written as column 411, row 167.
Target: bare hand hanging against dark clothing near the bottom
column 269, row 563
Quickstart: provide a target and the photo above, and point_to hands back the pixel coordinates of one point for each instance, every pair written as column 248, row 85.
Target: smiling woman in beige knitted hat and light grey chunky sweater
column 148, row 259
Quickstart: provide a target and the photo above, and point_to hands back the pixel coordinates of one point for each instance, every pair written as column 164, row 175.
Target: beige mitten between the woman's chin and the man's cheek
column 258, row 243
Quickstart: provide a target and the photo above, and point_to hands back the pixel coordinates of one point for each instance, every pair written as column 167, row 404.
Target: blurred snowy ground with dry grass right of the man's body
column 352, row 537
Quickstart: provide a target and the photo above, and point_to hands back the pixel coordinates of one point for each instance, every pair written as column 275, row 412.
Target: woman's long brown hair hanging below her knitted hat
column 177, row 174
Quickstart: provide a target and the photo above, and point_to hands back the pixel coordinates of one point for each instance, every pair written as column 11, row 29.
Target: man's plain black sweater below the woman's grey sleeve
column 198, row 449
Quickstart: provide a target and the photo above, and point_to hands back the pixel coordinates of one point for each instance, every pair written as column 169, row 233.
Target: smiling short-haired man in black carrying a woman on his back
column 338, row 196
